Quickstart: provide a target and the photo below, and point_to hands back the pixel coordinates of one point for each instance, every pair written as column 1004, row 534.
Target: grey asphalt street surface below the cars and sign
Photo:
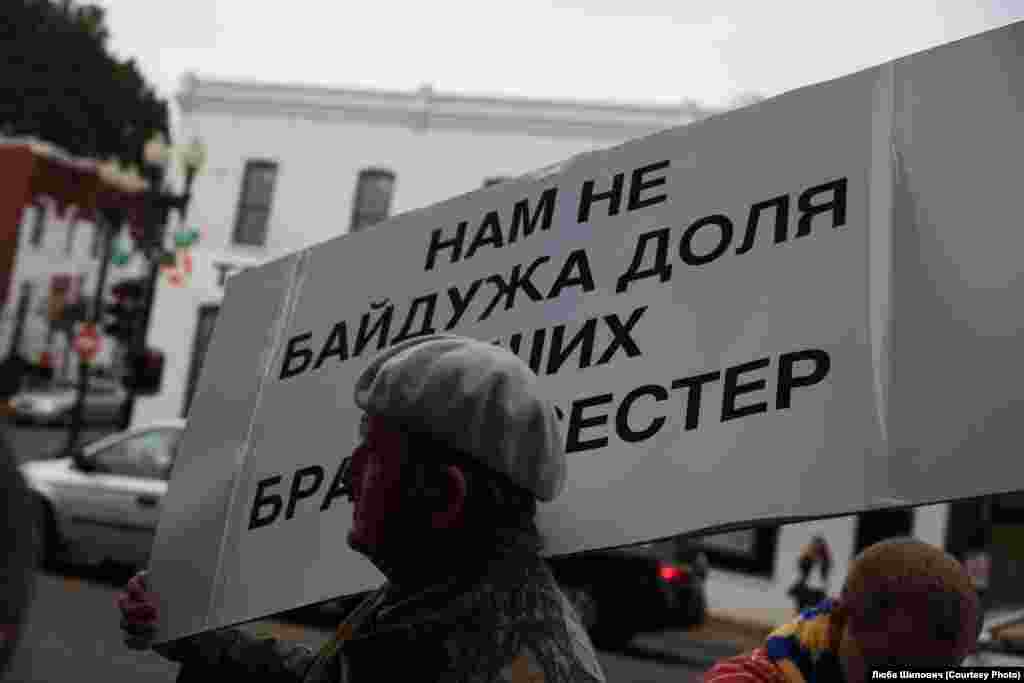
column 72, row 634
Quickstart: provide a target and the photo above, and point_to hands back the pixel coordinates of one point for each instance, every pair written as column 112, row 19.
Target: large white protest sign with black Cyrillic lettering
column 804, row 309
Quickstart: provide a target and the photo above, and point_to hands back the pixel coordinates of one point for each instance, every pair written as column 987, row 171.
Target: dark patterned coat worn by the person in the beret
column 508, row 622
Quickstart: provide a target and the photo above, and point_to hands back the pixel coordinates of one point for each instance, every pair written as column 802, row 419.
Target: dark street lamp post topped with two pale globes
column 159, row 204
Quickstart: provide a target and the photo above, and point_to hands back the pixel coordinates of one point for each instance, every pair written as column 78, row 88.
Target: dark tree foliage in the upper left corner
column 62, row 86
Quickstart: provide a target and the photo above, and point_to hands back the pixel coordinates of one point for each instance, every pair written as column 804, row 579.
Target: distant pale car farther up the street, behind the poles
column 54, row 405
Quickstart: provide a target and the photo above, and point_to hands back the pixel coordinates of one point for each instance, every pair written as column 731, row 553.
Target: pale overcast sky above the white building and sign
column 635, row 51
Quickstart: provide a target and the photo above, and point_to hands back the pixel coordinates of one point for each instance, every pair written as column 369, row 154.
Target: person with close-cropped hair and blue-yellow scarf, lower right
column 906, row 605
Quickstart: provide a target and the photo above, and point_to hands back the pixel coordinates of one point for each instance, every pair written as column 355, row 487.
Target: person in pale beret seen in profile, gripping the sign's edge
column 455, row 449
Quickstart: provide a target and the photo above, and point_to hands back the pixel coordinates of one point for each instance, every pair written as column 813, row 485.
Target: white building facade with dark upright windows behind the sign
column 289, row 167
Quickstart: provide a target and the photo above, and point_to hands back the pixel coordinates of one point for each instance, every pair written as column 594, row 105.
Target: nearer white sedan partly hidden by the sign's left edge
column 103, row 503
